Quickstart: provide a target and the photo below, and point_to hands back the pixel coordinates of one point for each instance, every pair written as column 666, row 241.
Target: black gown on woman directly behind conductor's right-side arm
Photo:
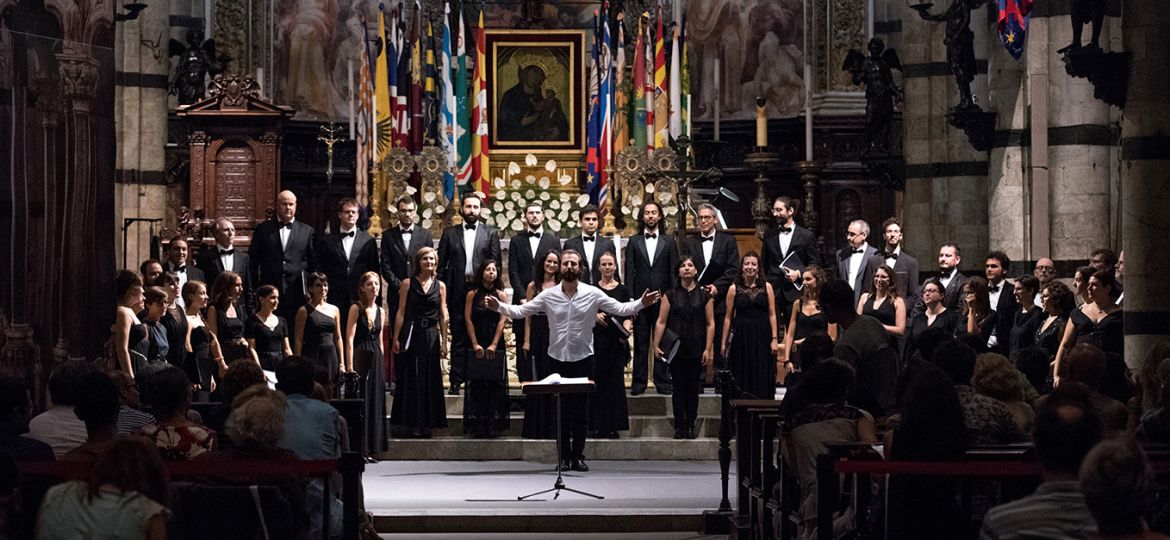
column 609, row 413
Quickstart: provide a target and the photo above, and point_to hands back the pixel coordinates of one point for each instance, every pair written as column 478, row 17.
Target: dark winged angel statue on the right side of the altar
column 876, row 72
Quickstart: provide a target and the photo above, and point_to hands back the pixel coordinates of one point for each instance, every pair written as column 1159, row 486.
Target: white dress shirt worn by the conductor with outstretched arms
column 572, row 320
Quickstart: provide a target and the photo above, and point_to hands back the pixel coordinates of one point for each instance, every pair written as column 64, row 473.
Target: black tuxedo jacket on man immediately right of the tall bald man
column 345, row 274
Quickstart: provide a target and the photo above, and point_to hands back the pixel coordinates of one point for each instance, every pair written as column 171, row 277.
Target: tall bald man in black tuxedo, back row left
column 284, row 253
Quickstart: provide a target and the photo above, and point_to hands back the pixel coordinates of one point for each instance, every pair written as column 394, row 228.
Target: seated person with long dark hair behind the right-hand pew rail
column 933, row 430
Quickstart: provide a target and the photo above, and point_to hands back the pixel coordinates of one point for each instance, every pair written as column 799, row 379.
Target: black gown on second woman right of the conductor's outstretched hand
column 751, row 350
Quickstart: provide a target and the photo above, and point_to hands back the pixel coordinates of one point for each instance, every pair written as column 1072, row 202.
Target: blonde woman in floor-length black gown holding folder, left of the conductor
column 421, row 347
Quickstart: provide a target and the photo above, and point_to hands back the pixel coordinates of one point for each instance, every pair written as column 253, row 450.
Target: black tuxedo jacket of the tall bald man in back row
column 284, row 267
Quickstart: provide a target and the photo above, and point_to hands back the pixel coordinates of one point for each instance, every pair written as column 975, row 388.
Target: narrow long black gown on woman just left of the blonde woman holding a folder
column 370, row 366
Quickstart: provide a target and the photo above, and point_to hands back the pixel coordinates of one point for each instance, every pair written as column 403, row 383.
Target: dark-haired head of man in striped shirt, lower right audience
column 1066, row 430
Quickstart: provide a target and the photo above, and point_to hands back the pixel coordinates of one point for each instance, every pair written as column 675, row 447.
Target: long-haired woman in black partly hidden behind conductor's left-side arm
column 540, row 410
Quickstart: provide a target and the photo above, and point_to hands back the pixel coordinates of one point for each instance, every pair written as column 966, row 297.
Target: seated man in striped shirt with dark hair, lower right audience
column 1065, row 433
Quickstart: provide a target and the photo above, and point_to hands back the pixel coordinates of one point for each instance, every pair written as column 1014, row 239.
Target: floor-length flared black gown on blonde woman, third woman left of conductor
column 419, row 401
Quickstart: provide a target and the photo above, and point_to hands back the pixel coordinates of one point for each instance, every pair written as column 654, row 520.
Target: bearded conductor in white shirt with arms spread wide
column 573, row 310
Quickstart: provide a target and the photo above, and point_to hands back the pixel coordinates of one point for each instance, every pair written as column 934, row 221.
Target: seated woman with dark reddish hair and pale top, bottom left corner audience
column 125, row 496
